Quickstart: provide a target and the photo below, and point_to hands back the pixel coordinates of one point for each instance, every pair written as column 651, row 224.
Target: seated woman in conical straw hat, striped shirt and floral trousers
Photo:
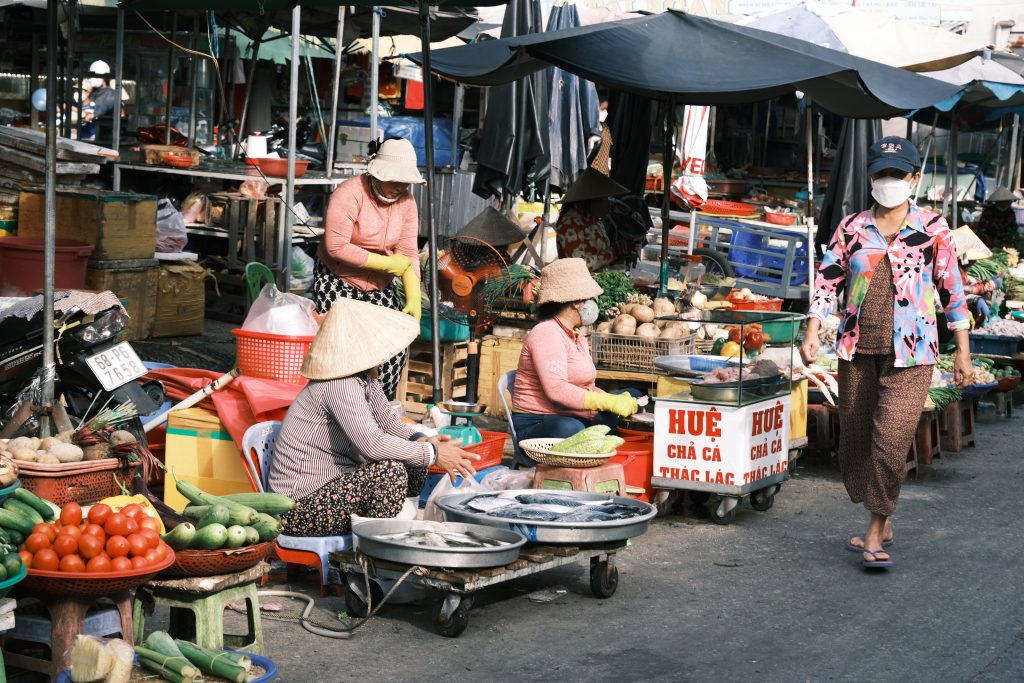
column 342, row 450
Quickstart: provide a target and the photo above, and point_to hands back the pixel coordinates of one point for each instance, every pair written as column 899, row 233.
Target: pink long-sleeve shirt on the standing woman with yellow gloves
column 358, row 225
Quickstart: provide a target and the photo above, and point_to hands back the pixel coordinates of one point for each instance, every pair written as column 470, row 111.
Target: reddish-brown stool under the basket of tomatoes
column 68, row 617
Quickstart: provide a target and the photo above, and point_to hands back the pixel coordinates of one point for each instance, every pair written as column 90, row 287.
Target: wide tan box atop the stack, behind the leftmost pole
column 122, row 226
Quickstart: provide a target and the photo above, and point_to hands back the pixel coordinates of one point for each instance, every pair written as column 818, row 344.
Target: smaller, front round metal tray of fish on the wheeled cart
column 448, row 545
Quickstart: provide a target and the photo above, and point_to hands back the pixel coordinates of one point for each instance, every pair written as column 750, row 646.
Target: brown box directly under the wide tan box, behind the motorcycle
column 135, row 282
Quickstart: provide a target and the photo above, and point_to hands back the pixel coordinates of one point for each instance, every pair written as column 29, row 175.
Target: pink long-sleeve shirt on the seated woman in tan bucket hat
column 556, row 372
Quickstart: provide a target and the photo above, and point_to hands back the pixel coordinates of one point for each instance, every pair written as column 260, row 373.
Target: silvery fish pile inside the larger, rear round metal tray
column 549, row 508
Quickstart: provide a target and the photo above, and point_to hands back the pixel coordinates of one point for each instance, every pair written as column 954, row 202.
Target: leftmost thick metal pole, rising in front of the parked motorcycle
column 51, row 218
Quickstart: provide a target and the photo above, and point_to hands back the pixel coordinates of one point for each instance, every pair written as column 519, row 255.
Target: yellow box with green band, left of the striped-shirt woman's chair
column 200, row 451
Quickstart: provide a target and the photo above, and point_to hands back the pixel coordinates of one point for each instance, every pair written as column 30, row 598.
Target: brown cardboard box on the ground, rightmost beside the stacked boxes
column 181, row 301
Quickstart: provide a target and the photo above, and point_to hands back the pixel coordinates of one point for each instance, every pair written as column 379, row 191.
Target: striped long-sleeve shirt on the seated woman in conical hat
column 332, row 429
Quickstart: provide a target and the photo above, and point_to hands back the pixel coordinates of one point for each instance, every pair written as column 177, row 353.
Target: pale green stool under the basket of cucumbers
column 198, row 606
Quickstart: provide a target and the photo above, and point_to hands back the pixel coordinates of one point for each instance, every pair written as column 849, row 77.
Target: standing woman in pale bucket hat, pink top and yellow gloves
column 371, row 239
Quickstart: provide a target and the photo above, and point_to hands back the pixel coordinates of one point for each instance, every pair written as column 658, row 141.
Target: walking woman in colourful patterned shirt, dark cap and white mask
column 891, row 261
